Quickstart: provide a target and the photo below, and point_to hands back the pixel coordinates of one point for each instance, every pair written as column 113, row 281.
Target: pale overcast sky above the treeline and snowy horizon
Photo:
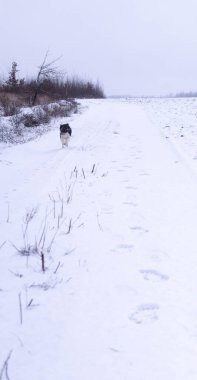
column 133, row 47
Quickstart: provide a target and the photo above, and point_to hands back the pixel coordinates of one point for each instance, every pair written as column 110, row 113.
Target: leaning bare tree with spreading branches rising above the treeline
column 47, row 70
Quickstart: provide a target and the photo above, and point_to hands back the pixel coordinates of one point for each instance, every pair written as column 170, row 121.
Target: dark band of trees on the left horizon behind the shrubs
column 49, row 85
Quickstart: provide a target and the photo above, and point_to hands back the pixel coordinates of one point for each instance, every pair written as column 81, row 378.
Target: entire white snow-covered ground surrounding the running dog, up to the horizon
column 98, row 271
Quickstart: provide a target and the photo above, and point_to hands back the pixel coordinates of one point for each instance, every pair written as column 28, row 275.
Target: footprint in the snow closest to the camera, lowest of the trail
column 145, row 314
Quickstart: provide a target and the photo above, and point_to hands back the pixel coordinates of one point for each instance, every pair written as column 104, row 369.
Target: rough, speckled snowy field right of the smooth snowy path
column 178, row 119
